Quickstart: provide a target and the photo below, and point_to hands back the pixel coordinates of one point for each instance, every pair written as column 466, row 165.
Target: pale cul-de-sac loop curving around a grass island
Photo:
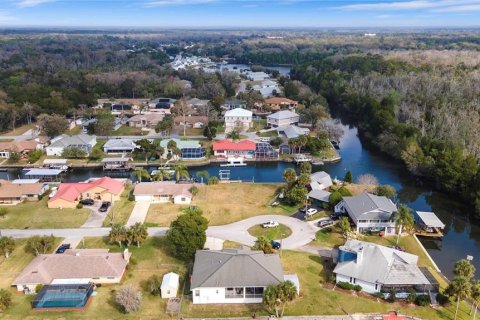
column 302, row 232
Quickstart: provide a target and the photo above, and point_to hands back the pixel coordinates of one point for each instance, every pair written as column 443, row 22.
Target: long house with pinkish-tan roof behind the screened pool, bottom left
column 98, row 266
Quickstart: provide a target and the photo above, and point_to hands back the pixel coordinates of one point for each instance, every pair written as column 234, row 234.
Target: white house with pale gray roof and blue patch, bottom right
column 378, row 268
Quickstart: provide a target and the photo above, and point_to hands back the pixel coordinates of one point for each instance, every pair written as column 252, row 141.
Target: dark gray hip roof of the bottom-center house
column 230, row 268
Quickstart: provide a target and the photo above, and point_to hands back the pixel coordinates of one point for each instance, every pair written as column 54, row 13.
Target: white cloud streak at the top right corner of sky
column 411, row 5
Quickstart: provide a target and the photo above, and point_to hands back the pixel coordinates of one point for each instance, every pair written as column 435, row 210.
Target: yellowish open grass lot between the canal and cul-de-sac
column 224, row 203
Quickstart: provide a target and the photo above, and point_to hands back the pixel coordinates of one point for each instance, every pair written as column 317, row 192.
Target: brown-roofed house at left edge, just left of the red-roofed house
column 21, row 190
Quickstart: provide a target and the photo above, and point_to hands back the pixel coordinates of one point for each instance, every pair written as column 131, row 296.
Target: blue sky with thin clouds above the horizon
column 240, row 13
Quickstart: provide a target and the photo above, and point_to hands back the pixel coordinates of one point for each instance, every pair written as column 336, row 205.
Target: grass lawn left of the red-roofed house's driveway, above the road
column 37, row 215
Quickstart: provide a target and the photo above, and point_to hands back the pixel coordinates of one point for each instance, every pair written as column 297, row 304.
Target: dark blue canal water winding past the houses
column 462, row 236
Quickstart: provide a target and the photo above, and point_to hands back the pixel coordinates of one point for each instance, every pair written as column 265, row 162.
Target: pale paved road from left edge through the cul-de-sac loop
column 302, row 232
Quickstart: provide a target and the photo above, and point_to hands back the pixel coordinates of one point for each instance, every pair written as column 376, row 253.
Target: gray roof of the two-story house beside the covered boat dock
column 369, row 207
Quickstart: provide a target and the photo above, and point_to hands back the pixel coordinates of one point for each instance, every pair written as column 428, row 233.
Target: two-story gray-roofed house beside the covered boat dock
column 369, row 212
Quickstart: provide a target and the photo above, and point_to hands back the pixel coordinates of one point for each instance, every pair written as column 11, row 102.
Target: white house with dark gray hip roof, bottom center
column 235, row 276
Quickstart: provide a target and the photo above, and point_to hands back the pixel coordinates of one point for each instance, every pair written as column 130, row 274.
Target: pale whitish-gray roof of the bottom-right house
column 380, row 264
